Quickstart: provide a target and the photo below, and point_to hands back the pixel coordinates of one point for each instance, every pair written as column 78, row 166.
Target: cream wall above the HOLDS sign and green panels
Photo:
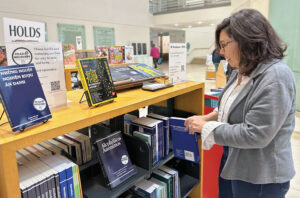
column 120, row 14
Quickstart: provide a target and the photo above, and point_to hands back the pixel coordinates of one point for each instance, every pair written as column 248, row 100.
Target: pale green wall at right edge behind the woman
column 288, row 28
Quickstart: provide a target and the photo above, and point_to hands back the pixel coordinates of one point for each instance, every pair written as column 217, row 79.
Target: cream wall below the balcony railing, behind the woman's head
column 202, row 38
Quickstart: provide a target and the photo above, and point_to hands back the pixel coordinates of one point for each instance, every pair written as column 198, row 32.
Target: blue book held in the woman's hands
column 185, row 145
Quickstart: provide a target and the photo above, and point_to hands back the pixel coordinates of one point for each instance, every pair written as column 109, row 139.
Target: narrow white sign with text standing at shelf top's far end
column 177, row 62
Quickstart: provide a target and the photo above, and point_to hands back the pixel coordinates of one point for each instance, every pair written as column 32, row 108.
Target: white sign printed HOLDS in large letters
column 20, row 30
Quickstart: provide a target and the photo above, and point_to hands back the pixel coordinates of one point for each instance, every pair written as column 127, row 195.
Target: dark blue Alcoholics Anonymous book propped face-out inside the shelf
column 114, row 159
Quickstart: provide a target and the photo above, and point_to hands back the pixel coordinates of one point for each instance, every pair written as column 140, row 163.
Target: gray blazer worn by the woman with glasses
column 260, row 123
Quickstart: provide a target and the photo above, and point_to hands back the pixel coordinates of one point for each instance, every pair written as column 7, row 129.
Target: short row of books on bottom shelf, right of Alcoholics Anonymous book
column 164, row 183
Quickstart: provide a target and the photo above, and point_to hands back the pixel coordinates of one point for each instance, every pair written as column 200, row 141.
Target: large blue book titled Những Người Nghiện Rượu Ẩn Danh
column 22, row 96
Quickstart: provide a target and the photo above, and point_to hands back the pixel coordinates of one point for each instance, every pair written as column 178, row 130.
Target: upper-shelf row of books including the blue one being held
column 156, row 129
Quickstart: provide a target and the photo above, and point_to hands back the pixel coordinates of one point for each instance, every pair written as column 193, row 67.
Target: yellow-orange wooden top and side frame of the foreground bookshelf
column 188, row 96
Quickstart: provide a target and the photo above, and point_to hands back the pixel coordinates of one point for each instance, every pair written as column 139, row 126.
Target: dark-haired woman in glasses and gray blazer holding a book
column 256, row 113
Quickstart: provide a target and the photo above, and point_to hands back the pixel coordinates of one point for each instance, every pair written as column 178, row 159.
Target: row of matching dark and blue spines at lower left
column 47, row 176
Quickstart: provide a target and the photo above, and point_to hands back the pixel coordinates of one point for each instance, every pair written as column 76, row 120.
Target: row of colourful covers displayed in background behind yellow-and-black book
column 114, row 54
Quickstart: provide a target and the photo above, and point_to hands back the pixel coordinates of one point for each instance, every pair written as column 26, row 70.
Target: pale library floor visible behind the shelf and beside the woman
column 197, row 73
